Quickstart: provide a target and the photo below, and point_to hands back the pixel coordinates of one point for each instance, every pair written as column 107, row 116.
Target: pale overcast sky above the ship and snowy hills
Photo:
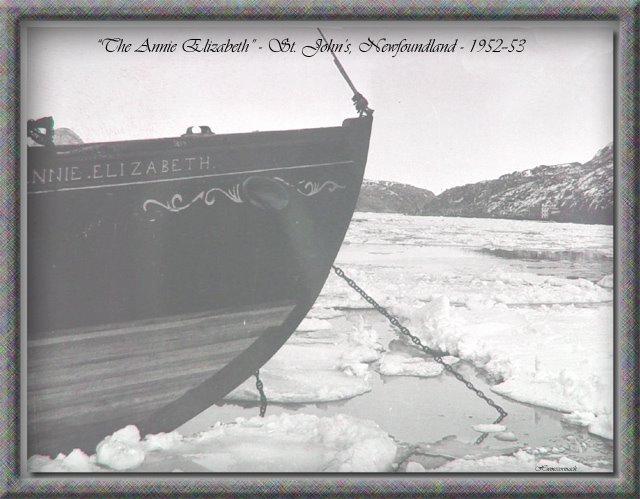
column 441, row 120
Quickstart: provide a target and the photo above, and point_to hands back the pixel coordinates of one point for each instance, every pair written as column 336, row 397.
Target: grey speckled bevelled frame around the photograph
column 623, row 482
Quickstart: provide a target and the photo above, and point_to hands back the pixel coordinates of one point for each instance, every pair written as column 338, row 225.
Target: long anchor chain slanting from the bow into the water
column 418, row 344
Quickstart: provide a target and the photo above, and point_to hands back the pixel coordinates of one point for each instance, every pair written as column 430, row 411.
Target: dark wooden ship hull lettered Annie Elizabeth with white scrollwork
column 163, row 273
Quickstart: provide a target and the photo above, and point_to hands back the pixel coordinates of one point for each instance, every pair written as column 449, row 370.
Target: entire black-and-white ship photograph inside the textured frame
column 318, row 247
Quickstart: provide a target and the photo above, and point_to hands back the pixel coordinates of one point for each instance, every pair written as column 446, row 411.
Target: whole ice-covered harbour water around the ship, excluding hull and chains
column 524, row 310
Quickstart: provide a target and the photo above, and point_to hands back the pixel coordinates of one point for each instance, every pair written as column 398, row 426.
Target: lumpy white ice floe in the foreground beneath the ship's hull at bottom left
column 283, row 443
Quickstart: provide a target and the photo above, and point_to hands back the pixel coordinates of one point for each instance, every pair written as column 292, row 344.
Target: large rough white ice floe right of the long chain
column 560, row 358
